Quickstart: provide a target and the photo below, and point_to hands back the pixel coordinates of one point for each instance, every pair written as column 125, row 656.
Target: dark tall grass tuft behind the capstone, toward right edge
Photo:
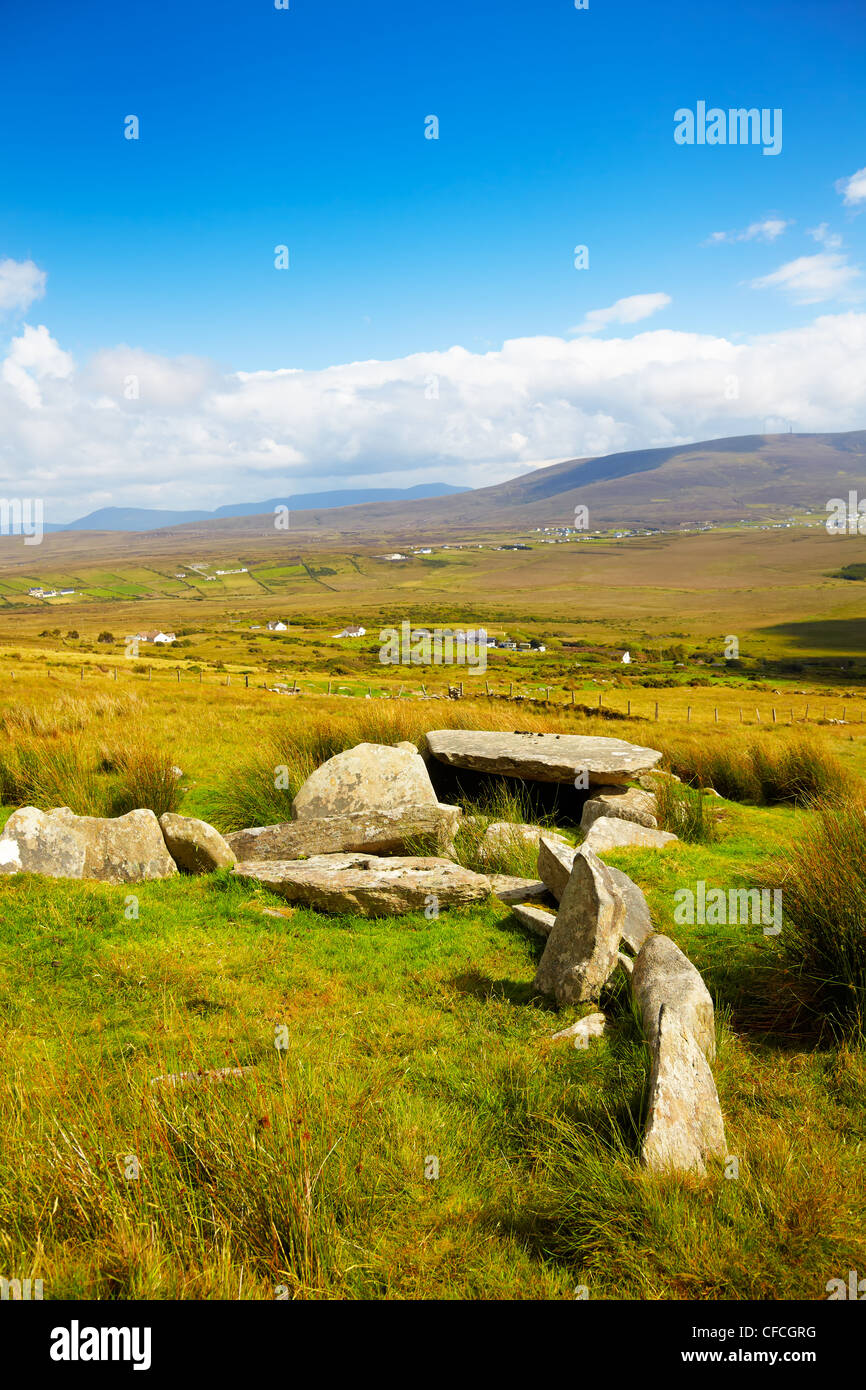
column 797, row 771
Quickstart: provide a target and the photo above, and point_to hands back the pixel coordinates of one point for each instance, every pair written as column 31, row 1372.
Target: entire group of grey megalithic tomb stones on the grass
column 369, row 836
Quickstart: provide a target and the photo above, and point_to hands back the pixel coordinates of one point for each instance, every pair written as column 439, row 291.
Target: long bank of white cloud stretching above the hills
column 206, row 439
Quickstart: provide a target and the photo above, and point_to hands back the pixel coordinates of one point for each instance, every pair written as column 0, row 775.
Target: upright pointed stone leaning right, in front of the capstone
column 582, row 950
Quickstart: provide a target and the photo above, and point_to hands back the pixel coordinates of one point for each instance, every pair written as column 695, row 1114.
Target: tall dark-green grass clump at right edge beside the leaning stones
column 824, row 883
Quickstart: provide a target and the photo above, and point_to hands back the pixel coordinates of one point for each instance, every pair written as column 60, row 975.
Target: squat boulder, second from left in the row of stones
column 122, row 849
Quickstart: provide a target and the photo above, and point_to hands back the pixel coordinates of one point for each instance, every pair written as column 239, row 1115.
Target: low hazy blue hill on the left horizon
column 152, row 519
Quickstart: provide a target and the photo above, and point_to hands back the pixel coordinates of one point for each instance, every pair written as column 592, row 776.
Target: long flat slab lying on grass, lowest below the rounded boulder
column 369, row 886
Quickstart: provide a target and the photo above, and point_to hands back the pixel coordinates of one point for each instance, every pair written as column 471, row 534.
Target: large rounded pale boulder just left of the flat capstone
column 368, row 778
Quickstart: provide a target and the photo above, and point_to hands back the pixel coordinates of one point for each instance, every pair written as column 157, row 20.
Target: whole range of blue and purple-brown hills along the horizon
column 751, row 477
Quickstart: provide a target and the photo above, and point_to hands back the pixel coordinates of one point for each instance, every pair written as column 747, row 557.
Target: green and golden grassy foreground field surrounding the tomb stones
column 408, row 1040
